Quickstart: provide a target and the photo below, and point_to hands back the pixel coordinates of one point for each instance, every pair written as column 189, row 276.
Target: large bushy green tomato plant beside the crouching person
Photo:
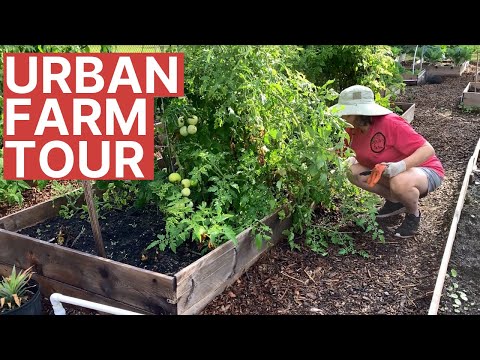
column 264, row 140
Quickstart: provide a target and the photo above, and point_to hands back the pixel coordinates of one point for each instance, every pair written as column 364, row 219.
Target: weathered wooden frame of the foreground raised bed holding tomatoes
column 89, row 277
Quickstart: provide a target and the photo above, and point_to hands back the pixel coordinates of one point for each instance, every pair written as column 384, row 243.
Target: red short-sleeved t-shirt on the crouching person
column 389, row 139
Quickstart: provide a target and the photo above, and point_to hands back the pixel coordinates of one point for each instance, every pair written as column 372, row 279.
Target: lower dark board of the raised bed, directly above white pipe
column 49, row 286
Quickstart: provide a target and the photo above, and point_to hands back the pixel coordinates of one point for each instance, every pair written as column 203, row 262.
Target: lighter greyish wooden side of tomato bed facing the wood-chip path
column 198, row 284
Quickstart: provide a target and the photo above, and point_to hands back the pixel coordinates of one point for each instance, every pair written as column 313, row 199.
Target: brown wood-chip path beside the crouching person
column 399, row 277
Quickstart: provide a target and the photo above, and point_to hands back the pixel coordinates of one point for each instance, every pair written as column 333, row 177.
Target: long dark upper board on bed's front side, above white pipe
column 148, row 290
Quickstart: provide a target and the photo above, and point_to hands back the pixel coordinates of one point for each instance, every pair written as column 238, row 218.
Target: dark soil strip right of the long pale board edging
column 461, row 291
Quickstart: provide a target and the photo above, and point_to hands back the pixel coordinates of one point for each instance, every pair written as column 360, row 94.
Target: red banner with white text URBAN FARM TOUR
column 84, row 116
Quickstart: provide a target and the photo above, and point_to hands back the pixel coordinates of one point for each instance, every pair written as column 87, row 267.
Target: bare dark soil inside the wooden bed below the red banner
column 125, row 234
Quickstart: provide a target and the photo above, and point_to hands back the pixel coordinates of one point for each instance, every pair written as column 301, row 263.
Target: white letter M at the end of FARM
column 139, row 109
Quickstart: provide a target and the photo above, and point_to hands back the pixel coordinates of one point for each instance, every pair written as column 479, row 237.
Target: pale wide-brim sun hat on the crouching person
column 358, row 100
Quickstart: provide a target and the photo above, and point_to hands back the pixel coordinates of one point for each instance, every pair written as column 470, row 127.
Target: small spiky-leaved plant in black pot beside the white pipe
column 14, row 289
